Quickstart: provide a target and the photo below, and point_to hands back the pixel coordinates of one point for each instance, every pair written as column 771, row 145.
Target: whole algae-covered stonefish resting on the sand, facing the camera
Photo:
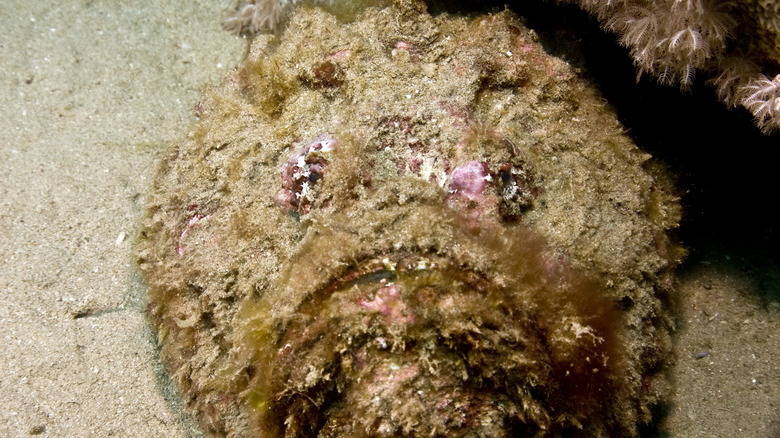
column 410, row 225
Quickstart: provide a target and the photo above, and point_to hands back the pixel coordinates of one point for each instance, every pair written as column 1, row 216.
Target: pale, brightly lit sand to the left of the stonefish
column 90, row 94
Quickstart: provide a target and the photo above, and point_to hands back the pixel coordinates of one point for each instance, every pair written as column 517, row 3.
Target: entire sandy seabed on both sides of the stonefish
column 90, row 94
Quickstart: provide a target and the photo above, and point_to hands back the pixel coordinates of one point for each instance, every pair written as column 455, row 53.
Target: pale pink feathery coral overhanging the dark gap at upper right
column 735, row 42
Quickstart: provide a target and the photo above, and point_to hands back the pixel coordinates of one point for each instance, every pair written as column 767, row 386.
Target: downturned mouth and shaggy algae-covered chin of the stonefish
column 415, row 343
